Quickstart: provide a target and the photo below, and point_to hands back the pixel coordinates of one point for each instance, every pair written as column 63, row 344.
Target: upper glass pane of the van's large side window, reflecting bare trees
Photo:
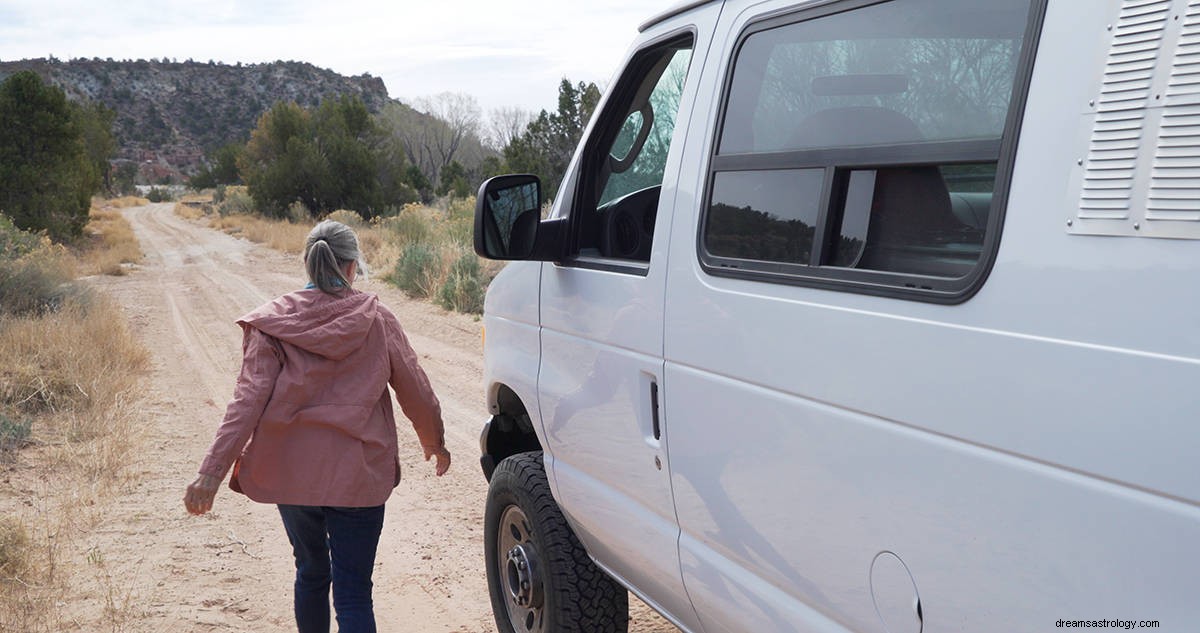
column 898, row 73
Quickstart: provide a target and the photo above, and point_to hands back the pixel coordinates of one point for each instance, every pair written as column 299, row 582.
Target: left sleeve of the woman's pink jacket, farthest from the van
column 261, row 365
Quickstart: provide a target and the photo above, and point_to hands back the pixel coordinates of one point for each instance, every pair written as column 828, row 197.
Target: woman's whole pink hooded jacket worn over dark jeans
column 313, row 402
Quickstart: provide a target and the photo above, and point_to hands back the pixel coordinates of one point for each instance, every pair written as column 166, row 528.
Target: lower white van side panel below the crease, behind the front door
column 770, row 534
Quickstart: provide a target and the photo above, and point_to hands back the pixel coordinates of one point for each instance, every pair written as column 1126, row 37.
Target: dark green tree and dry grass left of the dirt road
column 69, row 366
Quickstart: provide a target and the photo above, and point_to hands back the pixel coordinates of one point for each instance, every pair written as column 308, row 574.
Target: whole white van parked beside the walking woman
column 860, row 316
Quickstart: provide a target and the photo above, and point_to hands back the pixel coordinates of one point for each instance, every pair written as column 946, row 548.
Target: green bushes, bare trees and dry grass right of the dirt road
column 404, row 179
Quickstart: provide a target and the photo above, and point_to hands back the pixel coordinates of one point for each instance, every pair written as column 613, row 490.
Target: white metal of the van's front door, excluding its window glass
column 602, row 367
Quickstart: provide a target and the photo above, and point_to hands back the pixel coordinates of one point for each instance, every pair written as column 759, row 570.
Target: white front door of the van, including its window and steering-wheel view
column 602, row 315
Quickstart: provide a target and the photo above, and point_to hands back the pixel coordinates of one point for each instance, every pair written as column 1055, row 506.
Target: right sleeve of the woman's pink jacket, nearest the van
column 413, row 390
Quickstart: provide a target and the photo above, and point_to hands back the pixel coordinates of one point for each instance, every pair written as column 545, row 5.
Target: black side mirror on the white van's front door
column 508, row 220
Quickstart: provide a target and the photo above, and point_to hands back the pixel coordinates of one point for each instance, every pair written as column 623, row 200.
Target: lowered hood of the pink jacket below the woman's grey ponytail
column 333, row 327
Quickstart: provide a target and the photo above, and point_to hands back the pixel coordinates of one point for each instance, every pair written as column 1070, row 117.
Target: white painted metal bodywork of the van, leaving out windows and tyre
column 1025, row 456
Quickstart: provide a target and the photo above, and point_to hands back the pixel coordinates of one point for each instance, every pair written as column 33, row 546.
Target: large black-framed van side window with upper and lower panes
column 867, row 141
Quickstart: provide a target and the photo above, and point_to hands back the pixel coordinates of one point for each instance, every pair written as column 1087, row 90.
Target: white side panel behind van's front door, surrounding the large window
column 829, row 427
